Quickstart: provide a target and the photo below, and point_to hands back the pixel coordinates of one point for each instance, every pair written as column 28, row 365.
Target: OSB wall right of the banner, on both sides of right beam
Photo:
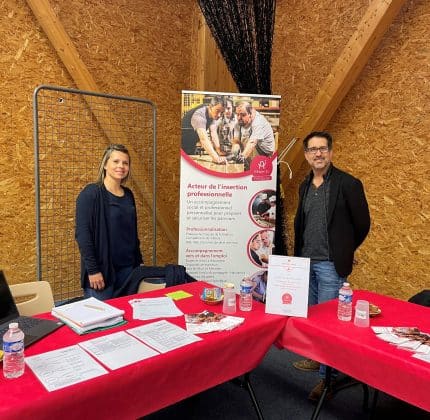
column 381, row 130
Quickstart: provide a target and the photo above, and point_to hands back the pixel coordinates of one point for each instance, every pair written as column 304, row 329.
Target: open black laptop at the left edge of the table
column 33, row 328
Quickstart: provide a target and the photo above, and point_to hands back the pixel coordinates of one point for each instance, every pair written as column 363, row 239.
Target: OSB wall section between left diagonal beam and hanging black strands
column 132, row 49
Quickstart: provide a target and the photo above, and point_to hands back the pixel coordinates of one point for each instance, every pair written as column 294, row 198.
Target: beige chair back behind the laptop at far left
column 33, row 297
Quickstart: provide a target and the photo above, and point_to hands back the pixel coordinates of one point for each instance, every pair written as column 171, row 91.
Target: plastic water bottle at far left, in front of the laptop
column 13, row 348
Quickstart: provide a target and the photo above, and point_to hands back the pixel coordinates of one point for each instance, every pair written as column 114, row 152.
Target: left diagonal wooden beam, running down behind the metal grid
column 79, row 72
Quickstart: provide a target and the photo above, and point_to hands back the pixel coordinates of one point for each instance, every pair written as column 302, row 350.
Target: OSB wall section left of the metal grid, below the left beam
column 26, row 61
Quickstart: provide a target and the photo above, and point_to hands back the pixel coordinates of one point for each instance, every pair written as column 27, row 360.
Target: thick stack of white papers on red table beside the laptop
column 89, row 315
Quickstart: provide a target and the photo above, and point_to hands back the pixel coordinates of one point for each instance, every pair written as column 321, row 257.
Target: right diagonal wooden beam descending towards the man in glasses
column 375, row 22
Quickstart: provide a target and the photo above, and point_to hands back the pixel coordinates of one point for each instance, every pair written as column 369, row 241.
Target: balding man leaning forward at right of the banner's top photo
column 253, row 135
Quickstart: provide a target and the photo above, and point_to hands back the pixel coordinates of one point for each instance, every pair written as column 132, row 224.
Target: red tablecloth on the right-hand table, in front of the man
column 359, row 353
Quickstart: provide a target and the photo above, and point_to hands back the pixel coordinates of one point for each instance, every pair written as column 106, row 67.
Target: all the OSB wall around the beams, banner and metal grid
column 143, row 49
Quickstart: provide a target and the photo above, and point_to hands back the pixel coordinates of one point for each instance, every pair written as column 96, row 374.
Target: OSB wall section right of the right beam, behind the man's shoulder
column 383, row 130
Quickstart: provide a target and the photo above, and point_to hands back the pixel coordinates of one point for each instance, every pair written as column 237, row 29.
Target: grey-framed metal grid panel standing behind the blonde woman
column 72, row 128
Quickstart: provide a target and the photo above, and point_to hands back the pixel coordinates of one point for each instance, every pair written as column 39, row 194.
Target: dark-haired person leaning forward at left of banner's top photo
column 196, row 124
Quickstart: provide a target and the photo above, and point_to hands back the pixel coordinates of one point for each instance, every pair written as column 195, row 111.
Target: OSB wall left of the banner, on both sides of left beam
column 131, row 47
